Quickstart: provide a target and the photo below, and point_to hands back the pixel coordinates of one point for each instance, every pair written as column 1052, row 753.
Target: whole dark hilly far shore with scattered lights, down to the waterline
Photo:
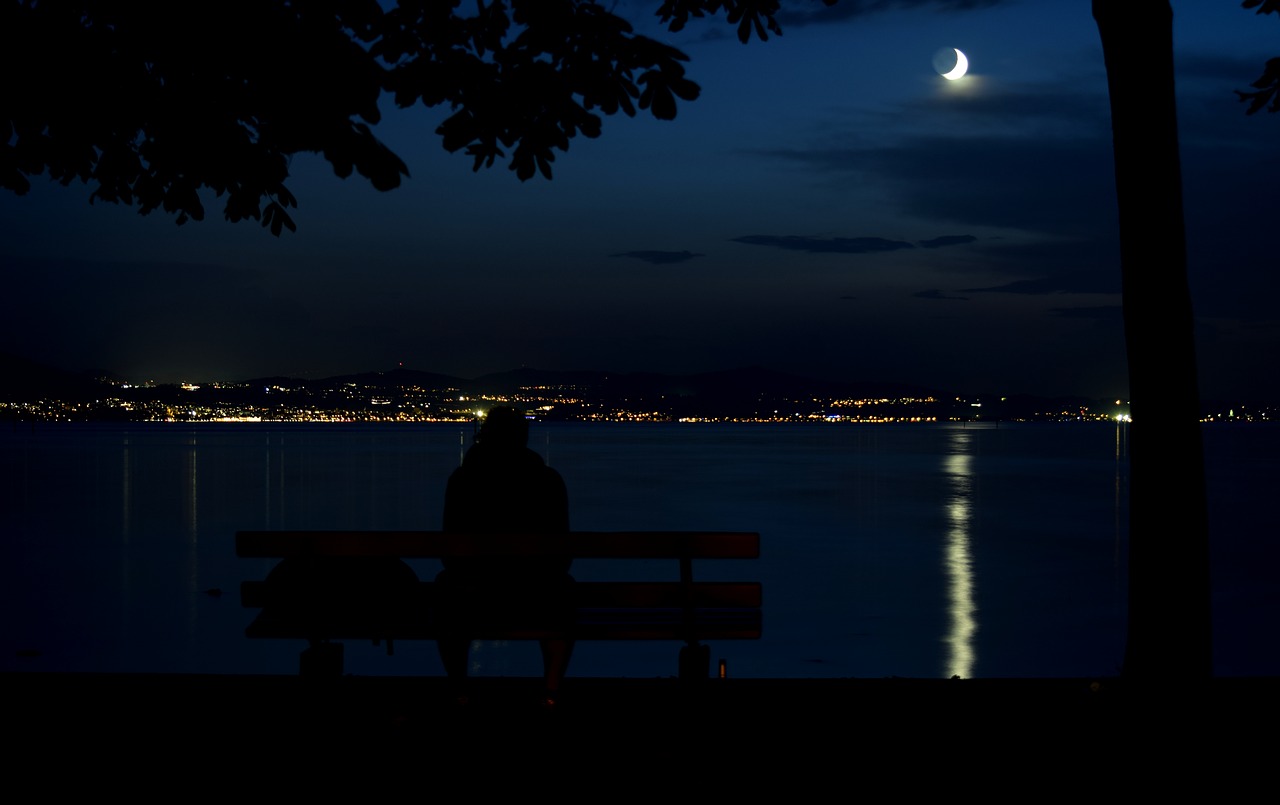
column 405, row 395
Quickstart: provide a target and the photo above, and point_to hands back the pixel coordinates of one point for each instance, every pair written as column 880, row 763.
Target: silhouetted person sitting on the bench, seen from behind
column 505, row 487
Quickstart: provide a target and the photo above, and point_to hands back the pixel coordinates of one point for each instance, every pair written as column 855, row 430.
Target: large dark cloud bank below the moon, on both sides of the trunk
column 1039, row 159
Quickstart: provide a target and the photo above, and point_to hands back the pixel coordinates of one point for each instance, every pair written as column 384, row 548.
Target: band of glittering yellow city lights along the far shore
column 417, row 402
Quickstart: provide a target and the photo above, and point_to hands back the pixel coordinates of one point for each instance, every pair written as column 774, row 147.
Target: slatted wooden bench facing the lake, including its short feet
column 349, row 586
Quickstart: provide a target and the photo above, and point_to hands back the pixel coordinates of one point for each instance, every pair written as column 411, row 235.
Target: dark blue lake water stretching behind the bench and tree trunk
column 924, row 551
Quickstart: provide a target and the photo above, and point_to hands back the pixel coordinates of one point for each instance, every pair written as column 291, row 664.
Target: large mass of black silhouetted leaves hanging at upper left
column 152, row 102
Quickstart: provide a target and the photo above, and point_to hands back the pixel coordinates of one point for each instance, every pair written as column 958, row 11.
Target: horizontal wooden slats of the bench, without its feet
column 685, row 610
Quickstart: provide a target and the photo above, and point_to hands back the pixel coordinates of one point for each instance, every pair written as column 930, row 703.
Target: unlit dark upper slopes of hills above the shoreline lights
column 751, row 392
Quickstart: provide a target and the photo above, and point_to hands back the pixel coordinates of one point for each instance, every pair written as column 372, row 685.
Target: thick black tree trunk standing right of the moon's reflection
column 1169, row 583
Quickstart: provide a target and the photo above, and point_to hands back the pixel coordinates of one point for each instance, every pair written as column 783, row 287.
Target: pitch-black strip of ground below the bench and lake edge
column 1035, row 739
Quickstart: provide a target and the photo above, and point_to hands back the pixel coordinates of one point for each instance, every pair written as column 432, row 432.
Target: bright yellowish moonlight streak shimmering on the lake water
column 958, row 465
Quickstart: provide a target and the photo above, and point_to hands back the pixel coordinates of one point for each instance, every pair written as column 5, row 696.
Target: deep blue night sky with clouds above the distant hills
column 830, row 207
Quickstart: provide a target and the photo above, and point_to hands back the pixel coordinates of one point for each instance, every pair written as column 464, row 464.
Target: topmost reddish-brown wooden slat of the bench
column 438, row 545
